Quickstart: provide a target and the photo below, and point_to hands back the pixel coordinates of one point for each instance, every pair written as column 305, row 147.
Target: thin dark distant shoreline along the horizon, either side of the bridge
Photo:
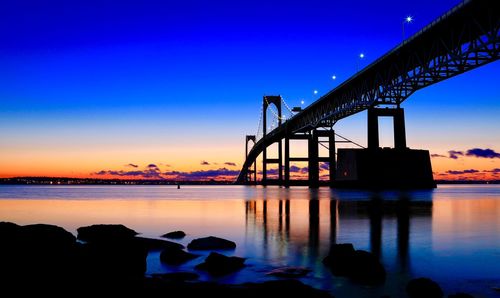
column 93, row 181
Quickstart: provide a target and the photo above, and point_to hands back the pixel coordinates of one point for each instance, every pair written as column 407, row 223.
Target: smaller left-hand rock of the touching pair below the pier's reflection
column 339, row 258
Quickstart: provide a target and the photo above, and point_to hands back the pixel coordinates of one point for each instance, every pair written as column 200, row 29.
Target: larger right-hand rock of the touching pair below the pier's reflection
column 366, row 268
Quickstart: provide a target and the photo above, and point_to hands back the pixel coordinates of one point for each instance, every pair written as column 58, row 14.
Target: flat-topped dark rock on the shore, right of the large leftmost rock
column 105, row 233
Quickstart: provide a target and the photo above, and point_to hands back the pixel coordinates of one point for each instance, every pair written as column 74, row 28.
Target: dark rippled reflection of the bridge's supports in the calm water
column 310, row 227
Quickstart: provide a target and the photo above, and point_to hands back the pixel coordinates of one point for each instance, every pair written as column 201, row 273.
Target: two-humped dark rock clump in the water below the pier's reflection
column 359, row 265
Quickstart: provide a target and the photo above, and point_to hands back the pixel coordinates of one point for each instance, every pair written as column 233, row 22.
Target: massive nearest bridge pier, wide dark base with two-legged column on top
column 375, row 167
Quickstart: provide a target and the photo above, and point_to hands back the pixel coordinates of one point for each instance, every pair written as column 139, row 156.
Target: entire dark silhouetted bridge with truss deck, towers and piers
column 465, row 38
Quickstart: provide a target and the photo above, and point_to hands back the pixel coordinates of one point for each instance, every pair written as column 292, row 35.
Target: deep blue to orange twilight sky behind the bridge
column 169, row 89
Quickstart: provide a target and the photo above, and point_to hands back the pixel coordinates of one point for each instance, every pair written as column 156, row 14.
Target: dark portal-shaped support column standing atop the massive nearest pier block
column 397, row 115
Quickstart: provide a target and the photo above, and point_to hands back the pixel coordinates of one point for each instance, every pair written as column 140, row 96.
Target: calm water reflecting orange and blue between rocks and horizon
column 451, row 234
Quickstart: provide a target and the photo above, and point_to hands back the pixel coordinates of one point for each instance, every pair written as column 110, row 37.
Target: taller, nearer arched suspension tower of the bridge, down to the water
column 266, row 102
